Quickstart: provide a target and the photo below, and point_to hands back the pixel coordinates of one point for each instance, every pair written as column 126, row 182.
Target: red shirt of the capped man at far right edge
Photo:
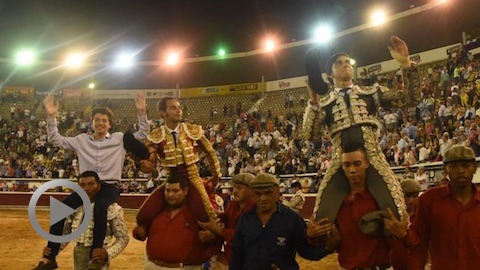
column 449, row 230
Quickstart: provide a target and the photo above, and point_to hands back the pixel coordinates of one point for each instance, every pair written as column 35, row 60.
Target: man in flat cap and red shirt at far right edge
column 446, row 222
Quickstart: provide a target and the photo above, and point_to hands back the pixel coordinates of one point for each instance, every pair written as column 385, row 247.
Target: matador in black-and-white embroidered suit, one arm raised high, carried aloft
column 348, row 113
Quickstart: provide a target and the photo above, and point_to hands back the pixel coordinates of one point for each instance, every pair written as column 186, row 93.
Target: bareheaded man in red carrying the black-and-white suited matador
column 360, row 241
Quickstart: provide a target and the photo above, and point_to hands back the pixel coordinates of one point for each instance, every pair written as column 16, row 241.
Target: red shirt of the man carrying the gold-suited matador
column 175, row 240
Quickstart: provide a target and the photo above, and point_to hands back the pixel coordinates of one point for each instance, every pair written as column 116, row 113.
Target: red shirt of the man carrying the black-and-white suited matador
column 358, row 250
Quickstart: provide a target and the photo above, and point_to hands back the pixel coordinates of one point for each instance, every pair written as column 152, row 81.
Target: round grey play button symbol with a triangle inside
column 59, row 211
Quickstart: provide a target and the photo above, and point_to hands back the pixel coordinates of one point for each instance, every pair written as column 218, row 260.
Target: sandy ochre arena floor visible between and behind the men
column 21, row 247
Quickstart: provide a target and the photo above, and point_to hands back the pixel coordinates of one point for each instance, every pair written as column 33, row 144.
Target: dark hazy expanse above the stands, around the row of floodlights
column 199, row 28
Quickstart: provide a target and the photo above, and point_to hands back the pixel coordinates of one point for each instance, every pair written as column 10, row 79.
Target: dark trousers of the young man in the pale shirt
column 108, row 194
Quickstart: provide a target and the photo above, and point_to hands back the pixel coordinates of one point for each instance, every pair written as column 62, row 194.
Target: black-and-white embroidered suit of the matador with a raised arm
column 353, row 117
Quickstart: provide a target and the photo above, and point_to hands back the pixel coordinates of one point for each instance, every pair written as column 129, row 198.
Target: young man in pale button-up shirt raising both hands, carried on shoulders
column 100, row 152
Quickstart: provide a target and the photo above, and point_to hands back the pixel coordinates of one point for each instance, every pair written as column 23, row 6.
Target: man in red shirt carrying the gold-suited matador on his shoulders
column 173, row 238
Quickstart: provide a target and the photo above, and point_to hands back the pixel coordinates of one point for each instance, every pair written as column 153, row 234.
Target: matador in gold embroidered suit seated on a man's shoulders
column 175, row 145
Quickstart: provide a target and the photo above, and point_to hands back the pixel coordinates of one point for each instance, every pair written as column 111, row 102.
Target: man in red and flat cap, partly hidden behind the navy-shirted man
column 242, row 201
